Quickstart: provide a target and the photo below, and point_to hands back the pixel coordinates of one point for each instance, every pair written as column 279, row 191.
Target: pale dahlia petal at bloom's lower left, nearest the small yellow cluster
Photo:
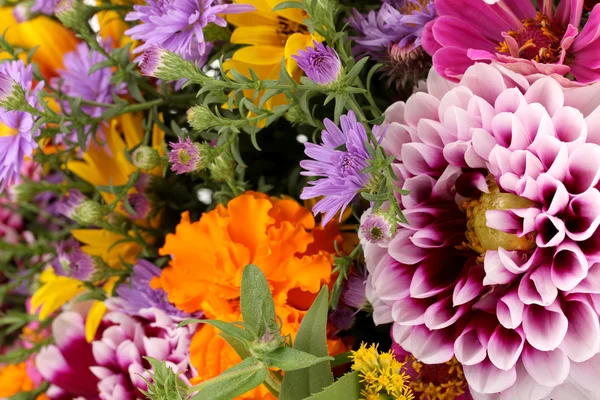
column 430, row 347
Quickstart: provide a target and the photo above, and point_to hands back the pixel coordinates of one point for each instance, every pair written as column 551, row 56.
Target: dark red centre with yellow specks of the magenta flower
column 538, row 40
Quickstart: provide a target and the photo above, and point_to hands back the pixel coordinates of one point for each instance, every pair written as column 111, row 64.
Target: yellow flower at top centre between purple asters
column 271, row 36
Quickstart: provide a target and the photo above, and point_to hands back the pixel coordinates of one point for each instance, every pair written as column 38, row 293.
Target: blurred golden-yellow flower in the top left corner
column 51, row 39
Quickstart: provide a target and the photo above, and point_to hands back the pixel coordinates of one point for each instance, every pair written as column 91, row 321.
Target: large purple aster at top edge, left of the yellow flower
column 177, row 25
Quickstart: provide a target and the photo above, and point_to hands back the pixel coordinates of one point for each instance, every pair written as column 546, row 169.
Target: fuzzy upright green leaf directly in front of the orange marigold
column 258, row 309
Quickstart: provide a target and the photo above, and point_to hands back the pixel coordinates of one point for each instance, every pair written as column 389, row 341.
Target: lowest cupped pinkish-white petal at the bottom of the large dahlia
column 486, row 378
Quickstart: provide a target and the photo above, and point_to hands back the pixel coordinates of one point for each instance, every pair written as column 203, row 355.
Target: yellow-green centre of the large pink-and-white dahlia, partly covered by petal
column 482, row 238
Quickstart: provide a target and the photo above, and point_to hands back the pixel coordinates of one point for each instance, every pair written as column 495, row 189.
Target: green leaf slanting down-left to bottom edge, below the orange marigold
column 235, row 381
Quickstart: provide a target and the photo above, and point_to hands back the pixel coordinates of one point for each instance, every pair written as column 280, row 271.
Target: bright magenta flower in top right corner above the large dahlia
column 527, row 40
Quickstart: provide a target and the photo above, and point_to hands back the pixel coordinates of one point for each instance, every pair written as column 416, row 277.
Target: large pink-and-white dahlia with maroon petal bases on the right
column 499, row 263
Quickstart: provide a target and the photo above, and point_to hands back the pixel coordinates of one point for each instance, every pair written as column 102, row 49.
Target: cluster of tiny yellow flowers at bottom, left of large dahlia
column 382, row 376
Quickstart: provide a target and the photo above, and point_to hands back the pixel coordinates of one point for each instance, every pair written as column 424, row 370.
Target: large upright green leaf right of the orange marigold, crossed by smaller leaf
column 311, row 338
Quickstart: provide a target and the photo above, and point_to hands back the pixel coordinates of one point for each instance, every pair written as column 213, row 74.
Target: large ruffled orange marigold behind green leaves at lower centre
column 208, row 257
